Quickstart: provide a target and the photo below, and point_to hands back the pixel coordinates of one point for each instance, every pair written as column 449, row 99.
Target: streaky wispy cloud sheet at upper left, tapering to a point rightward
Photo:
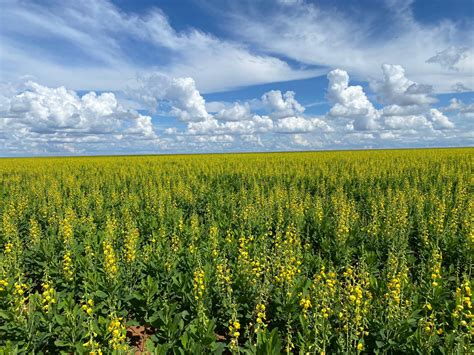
column 105, row 43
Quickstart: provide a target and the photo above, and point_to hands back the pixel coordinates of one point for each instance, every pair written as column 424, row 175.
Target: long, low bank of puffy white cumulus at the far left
column 44, row 109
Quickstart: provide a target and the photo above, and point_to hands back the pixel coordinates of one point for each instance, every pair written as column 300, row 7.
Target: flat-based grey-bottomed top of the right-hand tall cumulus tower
column 397, row 89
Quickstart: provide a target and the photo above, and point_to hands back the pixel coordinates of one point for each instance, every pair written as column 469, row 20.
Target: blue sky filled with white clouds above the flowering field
column 98, row 77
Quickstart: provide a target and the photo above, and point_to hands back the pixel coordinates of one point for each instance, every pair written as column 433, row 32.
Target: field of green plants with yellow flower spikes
column 348, row 252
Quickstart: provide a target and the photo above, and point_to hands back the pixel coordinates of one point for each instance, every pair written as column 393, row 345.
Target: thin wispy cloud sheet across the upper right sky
column 354, row 38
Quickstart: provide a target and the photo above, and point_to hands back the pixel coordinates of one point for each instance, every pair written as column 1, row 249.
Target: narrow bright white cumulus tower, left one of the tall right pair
column 350, row 101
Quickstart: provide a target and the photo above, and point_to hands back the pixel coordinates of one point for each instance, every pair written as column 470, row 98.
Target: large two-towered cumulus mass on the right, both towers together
column 408, row 103
